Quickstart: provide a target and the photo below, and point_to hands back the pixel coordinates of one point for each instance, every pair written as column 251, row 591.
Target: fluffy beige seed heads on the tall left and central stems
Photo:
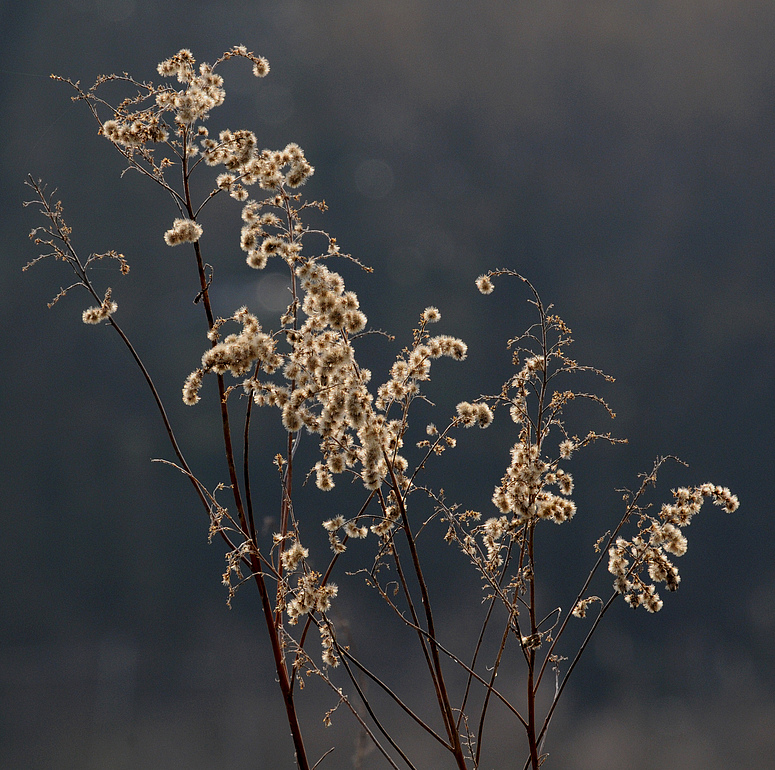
column 318, row 385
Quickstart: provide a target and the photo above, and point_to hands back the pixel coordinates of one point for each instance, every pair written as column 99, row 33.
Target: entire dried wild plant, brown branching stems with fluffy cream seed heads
column 307, row 369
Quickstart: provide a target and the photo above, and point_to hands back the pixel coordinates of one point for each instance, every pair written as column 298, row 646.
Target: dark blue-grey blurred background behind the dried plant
column 619, row 154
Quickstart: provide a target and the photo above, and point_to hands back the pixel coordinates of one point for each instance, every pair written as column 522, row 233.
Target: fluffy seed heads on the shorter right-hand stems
column 525, row 495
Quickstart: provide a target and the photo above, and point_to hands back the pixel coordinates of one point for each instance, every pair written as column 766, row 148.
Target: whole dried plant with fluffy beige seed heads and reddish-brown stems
column 307, row 369
